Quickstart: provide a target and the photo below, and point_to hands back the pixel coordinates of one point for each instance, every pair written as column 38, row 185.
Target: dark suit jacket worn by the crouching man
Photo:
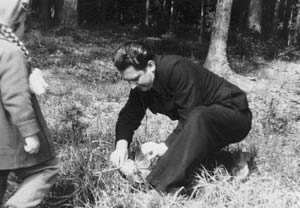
column 179, row 86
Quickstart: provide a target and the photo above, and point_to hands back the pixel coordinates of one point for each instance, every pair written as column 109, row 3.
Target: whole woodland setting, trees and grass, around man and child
column 253, row 43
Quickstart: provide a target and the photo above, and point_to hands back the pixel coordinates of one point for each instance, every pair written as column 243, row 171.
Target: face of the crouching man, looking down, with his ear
column 142, row 79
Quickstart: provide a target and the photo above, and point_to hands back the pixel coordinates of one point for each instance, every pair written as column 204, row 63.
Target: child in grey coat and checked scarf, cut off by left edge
column 26, row 147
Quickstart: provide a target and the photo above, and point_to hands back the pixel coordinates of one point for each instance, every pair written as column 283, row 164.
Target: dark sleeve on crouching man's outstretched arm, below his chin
column 130, row 117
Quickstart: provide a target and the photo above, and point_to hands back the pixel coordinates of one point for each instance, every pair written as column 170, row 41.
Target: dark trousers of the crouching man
column 206, row 130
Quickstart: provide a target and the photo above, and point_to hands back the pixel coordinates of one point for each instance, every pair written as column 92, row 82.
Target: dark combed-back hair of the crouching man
column 132, row 53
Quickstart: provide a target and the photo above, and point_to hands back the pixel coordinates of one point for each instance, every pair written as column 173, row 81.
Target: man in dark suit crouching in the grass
column 211, row 112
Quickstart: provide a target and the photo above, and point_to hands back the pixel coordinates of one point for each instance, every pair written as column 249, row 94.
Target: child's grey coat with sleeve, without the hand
column 20, row 114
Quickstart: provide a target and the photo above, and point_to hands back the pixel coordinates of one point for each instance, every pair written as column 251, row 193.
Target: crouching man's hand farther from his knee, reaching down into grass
column 120, row 155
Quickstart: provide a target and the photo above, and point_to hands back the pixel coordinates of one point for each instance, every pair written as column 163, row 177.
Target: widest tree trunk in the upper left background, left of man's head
column 70, row 17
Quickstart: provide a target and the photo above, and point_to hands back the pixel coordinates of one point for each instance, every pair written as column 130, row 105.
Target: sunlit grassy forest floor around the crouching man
column 82, row 105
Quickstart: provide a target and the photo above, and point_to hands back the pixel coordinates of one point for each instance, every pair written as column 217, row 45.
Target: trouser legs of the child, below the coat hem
column 36, row 183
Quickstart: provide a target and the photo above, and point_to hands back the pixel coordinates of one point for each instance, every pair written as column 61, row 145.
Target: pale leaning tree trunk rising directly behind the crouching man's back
column 216, row 59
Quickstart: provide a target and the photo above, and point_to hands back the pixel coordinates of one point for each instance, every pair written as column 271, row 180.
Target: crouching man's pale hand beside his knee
column 153, row 149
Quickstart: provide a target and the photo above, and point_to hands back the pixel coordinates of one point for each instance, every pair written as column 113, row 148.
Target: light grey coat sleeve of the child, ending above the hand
column 15, row 94
